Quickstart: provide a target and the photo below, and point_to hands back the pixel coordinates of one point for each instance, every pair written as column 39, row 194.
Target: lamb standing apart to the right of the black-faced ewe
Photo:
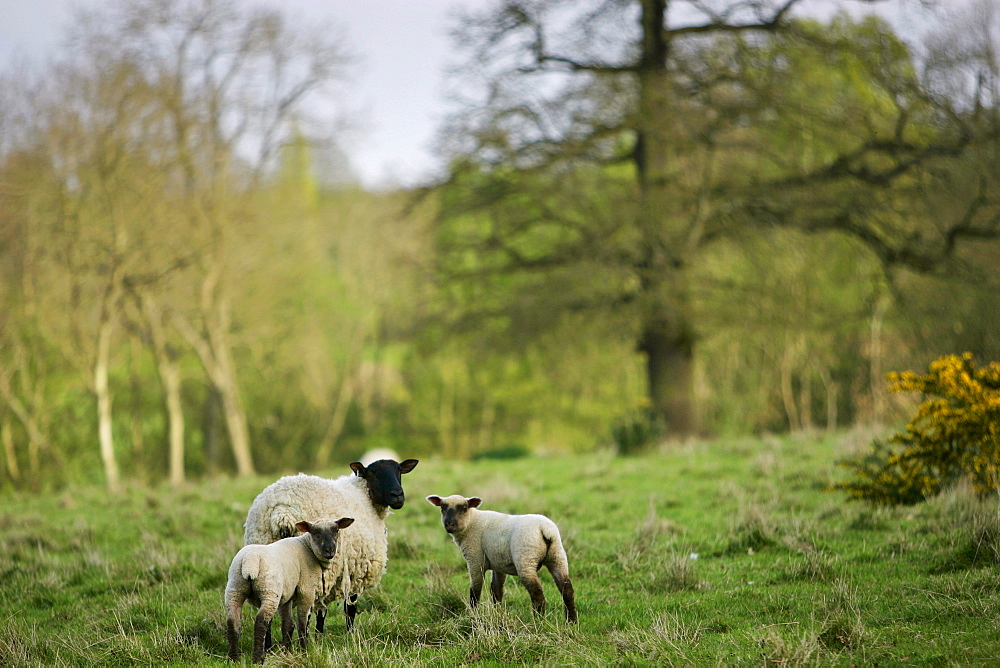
column 508, row 545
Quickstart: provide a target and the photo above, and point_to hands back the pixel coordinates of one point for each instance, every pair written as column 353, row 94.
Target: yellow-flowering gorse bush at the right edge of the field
column 954, row 435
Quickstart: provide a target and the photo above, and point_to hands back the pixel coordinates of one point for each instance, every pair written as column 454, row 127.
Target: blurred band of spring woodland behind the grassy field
column 730, row 220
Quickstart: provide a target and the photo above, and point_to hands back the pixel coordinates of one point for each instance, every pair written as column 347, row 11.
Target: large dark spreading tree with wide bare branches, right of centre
column 614, row 141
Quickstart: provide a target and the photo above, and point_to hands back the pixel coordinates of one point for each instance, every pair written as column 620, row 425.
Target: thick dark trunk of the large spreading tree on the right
column 665, row 330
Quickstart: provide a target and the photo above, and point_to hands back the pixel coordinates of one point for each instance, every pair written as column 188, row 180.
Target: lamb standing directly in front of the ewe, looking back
column 277, row 577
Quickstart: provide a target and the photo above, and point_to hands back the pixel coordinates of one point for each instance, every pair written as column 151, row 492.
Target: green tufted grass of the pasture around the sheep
column 706, row 553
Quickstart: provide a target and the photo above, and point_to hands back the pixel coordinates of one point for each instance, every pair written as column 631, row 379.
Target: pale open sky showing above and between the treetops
column 396, row 92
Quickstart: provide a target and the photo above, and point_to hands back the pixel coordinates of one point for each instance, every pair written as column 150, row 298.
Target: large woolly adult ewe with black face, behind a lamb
column 366, row 496
